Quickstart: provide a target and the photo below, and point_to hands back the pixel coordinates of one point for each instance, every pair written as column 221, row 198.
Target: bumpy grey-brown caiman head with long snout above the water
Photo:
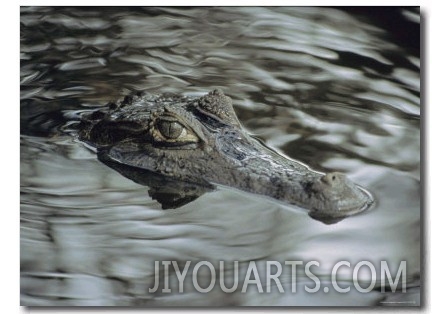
column 200, row 140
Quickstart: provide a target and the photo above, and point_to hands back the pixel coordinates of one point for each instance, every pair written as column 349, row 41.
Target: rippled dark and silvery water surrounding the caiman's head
column 336, row 89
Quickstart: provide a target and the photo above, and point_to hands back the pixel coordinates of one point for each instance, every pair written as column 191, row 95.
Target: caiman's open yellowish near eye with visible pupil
column 168, row 130
